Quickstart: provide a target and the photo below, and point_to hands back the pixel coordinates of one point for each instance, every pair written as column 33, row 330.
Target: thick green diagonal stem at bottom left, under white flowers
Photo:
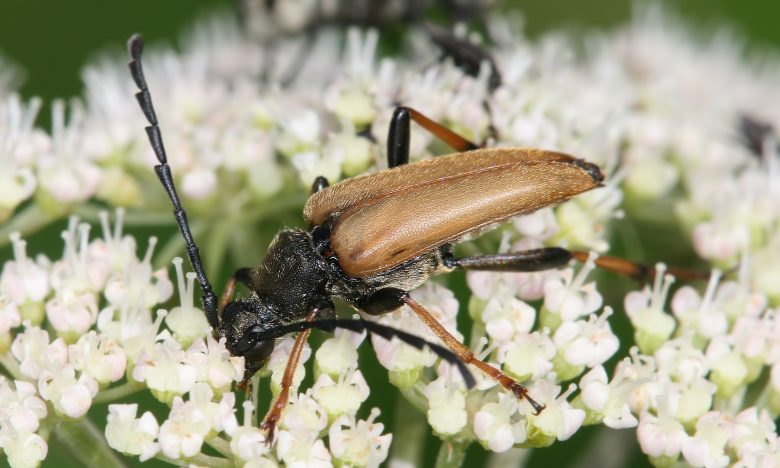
column 85, row 442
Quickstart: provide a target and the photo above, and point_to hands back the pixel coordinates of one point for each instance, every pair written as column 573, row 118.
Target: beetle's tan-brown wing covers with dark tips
column 392, row 216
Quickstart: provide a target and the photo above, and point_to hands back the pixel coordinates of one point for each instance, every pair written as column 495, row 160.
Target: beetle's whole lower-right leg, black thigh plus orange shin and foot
column 387, row 299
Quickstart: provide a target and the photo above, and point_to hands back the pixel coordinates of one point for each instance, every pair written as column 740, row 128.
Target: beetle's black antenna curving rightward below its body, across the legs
column 386, row 332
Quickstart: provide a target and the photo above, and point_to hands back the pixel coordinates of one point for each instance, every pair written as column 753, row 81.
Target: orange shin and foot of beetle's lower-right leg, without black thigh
column 467, row 356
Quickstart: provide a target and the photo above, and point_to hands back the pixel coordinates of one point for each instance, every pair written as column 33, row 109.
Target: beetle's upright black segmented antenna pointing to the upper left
column 135, row 47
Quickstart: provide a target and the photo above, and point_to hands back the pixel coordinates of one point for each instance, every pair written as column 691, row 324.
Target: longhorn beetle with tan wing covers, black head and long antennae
column 374, row 238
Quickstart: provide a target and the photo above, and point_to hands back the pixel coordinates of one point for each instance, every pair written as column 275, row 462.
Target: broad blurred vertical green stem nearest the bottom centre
column 409, row 434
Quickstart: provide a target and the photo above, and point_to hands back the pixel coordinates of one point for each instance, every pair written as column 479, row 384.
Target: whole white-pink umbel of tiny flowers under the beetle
column 247, row 129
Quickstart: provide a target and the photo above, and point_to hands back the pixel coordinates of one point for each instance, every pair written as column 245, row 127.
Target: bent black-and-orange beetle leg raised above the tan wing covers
column 398, row 135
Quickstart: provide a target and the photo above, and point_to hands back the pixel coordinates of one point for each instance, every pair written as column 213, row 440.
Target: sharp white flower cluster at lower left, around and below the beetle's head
column 182, row 366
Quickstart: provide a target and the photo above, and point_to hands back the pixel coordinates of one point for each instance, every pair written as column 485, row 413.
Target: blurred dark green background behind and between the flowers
column 52, row 40
